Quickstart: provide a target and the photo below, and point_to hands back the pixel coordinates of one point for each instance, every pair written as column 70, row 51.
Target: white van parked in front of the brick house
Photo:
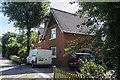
column 40, row 57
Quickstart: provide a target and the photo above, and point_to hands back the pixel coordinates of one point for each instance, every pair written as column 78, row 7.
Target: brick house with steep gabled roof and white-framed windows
column 62, row 27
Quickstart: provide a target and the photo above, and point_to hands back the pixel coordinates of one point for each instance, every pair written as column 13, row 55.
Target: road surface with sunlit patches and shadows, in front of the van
column 11, row 70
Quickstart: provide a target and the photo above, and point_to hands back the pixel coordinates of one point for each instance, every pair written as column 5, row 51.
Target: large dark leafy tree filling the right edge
column 108, row 15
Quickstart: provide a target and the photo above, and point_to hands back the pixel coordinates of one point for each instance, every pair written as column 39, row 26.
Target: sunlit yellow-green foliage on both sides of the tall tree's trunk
column 14, row 44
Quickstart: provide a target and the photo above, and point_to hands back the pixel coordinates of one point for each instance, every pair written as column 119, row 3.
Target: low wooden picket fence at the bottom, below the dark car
column 63, row 75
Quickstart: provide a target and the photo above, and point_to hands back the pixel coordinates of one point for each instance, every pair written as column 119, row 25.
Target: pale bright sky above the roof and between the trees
column 61, row 5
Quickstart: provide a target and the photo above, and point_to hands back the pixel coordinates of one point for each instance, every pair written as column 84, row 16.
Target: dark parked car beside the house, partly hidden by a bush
column 74, row 62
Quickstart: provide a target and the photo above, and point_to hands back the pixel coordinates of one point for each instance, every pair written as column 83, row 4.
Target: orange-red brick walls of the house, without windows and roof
column 59, row 42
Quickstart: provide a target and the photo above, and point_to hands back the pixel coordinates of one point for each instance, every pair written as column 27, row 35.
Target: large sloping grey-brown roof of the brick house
column 68, row 22
